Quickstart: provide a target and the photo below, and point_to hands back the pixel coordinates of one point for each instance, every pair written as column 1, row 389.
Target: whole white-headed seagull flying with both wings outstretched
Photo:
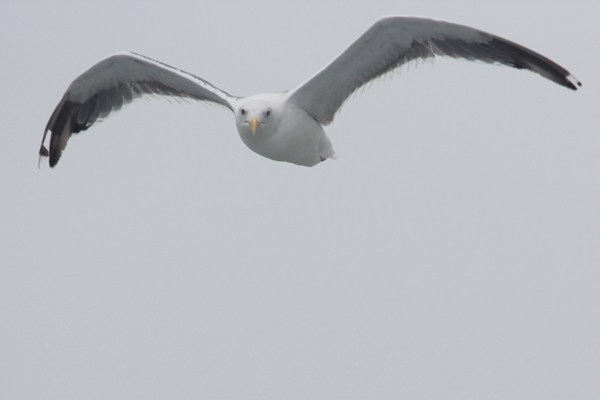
column 287, row 126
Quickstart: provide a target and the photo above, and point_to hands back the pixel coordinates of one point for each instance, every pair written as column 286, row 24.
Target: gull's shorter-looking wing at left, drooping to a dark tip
column 115, row 81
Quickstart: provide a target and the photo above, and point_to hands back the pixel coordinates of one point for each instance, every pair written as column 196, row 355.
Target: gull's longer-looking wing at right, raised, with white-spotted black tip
column 394, row 41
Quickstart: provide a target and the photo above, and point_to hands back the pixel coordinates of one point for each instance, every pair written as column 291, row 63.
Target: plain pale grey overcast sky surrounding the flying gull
column 451, row 252
